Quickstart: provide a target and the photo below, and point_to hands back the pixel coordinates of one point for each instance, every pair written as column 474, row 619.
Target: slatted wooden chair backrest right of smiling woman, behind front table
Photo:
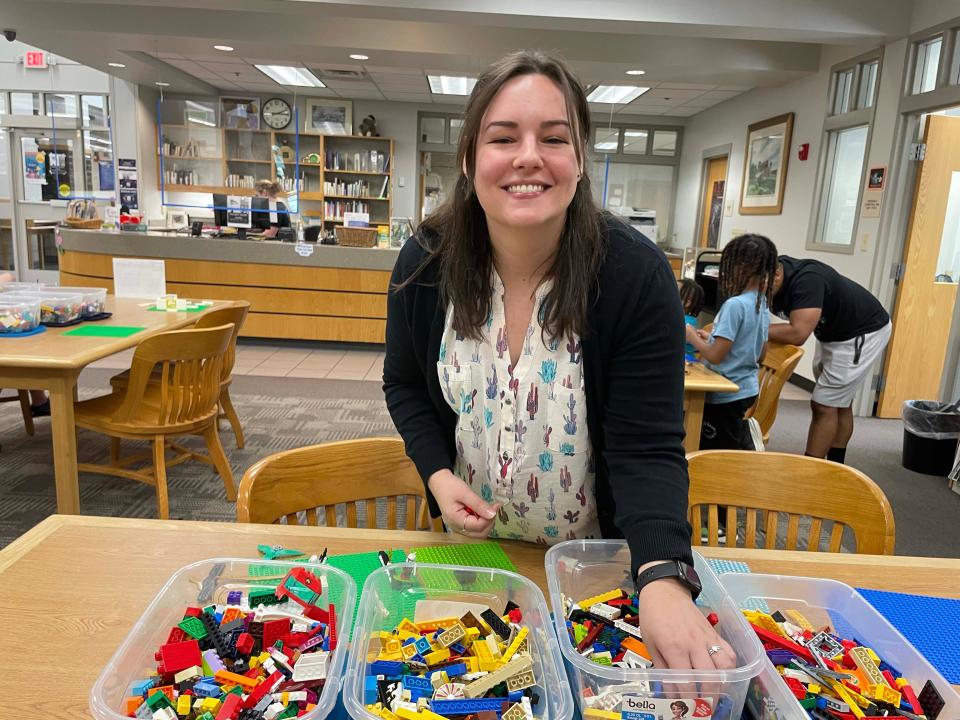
column 803, row 488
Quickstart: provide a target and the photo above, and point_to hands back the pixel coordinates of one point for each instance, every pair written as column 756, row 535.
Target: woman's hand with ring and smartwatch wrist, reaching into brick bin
column 677, row 634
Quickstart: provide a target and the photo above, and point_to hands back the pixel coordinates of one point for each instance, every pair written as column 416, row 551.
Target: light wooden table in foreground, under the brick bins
column 73, row 586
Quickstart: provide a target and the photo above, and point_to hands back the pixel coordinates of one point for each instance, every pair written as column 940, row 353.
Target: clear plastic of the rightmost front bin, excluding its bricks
column 831, row 602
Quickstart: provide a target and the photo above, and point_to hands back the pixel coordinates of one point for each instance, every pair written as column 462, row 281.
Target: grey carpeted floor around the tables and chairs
column 282, row 413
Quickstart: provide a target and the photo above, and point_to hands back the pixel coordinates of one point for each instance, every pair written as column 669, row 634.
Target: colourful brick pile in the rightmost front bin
column 836, row 678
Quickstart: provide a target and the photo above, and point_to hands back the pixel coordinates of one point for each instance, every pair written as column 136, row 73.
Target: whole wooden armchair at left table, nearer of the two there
column 182, row 402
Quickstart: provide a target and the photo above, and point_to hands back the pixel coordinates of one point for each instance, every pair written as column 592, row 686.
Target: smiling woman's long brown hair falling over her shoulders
column 456, row 233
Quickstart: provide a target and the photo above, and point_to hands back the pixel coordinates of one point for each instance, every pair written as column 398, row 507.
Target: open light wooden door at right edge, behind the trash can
column 923, row 312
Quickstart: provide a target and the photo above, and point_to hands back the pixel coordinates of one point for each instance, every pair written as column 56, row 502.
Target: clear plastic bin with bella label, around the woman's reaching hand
column 579, row 568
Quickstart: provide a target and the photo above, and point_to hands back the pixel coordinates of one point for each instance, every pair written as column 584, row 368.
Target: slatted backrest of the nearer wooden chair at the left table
column 189, row 379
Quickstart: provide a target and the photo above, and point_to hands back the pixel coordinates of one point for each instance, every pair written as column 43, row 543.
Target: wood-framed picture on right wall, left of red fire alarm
column 765, row 166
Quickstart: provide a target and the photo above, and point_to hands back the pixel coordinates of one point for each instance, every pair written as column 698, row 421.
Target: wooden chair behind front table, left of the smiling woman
column 306, row 480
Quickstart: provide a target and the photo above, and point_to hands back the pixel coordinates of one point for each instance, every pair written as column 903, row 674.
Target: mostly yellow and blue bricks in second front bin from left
column 478, row 667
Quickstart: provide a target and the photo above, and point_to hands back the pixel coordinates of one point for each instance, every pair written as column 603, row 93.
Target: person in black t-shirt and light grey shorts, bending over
column 852, row 329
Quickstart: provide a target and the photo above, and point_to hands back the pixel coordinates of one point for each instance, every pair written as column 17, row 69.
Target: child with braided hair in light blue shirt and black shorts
column 738, row 340
